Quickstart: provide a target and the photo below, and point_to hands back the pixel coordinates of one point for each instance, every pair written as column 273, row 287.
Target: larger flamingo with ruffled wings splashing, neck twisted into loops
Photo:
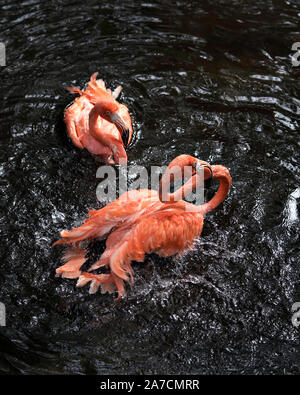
column 141, row 222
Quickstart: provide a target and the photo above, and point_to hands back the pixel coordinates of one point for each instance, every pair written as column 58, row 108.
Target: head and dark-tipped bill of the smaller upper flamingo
column 110, row 111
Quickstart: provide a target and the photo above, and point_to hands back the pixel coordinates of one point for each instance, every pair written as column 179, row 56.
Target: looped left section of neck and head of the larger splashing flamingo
column 180, row 167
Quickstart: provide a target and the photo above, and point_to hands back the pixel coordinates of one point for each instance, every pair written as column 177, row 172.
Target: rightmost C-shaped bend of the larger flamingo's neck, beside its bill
column 222, row 174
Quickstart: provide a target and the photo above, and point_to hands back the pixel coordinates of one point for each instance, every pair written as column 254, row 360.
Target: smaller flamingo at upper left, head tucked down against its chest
column 97, row 122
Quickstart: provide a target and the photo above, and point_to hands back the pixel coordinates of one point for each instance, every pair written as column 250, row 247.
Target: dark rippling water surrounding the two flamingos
column 210, row 79
